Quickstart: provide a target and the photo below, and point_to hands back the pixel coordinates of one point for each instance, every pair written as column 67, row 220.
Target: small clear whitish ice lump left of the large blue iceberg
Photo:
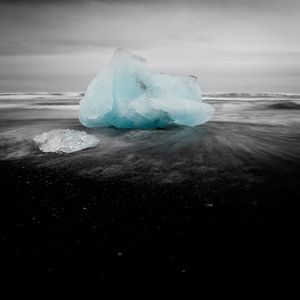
column 65, row 141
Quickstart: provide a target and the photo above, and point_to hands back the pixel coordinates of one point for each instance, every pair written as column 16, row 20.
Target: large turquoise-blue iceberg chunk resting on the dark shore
column 127, row 95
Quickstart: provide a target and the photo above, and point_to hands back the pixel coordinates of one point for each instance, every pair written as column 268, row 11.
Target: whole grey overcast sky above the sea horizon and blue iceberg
column 231, row 45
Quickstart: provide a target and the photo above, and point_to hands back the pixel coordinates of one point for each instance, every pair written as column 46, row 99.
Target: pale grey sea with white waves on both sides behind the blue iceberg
column 261, row 108
